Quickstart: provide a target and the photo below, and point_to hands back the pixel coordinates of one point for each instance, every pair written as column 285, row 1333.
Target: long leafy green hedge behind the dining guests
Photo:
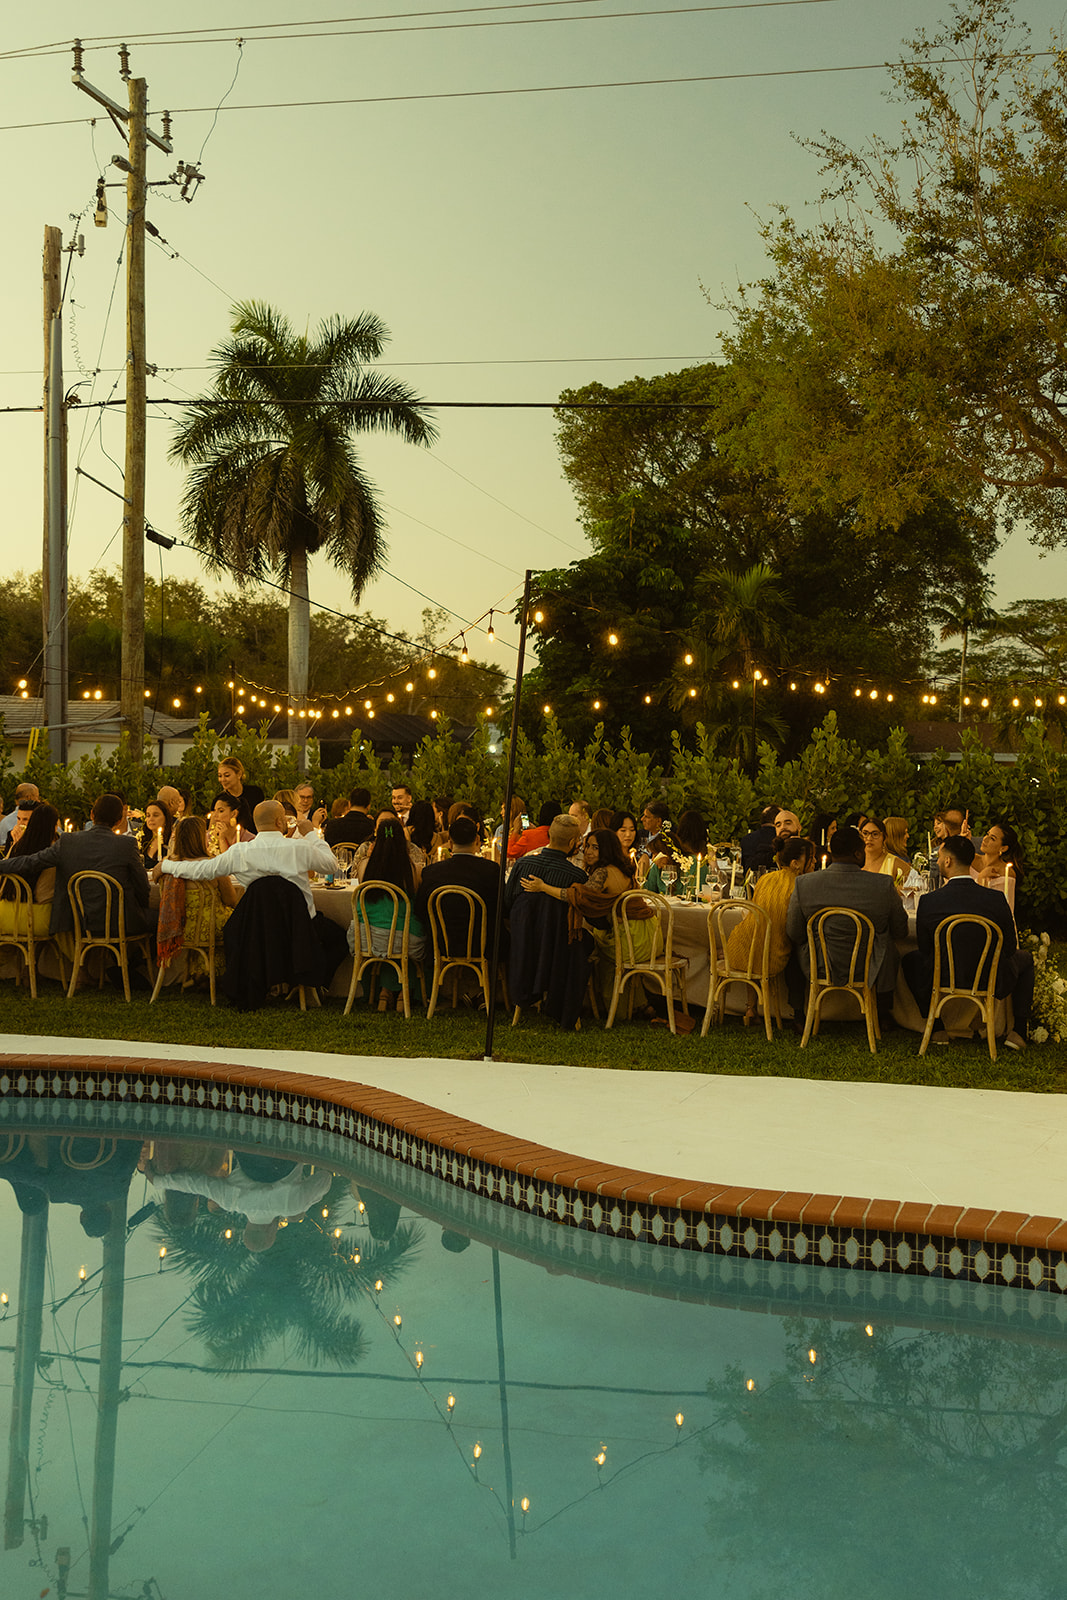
column 831, row 775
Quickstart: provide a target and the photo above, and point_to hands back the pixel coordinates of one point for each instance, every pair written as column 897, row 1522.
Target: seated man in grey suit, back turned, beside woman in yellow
column 845, row 884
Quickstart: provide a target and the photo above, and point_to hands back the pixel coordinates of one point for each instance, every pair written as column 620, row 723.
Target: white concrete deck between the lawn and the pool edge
column 970, row 1148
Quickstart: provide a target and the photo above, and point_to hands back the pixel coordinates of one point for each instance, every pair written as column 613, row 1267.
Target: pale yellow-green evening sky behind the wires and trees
column 514, row 244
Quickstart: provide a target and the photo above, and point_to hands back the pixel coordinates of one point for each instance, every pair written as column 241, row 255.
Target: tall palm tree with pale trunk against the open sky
column 274, row 473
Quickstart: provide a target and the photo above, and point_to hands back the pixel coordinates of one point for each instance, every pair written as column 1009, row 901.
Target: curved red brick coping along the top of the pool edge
column 588, row 1177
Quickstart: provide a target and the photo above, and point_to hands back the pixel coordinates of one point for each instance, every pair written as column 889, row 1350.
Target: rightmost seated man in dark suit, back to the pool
column 964, row 897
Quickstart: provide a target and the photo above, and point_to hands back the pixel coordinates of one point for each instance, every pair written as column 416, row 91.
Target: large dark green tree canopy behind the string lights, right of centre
column 676, row 527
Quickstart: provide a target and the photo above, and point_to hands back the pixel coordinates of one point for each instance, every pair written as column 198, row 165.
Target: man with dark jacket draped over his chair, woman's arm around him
column 549, row 956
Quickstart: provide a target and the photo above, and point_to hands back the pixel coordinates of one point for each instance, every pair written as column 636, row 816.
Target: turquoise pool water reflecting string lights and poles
column 505, row 1415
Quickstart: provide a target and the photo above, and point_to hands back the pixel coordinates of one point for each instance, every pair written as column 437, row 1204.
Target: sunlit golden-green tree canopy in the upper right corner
column 911, row 345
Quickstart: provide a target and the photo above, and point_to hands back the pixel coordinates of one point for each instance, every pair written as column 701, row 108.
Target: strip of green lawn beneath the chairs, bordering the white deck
column 839, row 1054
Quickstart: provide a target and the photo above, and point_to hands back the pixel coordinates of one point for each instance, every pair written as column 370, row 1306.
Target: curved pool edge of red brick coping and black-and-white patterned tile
column 956, row 1244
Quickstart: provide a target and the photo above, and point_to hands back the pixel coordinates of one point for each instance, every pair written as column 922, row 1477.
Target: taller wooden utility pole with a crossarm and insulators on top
column 135, row 121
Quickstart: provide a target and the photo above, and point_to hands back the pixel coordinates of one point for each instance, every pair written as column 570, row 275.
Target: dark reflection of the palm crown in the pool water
column 302, row 1290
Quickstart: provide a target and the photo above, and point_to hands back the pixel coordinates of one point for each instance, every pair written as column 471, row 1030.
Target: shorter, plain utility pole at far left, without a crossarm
column 55, row 554
